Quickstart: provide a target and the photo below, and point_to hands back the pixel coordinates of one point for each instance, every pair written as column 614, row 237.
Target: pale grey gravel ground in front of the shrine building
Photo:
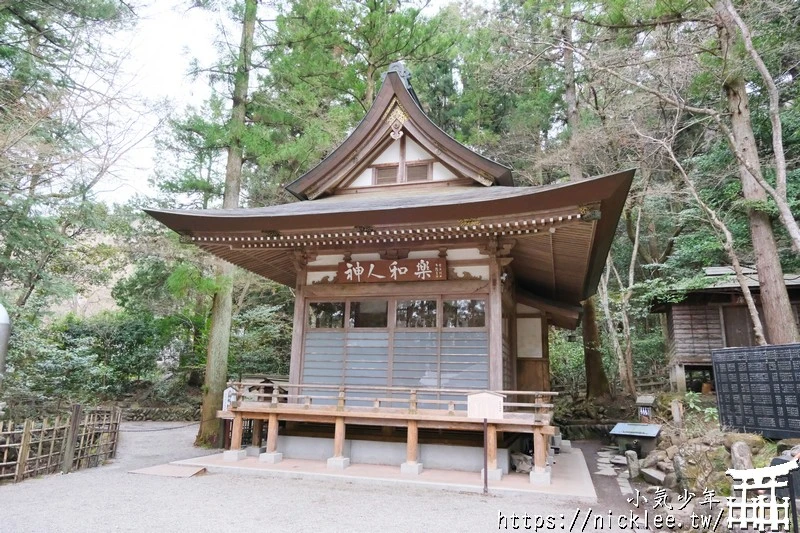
column 110, row 499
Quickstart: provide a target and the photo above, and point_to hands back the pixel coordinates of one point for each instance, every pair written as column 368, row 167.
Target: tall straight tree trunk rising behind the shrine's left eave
column 216, row 377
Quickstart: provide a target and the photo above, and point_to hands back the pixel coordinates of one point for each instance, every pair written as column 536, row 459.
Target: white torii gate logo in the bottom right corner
column 761, row 511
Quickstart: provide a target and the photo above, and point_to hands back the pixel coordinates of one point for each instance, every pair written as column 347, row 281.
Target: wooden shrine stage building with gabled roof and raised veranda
column 420, row 272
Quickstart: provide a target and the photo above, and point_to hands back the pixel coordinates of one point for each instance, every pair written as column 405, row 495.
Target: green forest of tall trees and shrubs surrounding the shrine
column 699, row 96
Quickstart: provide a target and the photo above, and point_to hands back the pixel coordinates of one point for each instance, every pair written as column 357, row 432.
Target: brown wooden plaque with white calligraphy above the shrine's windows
column 387, row 271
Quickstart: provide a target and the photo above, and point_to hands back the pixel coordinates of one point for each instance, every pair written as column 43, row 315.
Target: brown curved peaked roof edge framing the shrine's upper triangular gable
column 394, row 113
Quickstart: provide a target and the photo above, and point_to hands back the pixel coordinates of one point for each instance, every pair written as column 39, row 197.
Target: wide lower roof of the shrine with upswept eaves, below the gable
column 558, row 235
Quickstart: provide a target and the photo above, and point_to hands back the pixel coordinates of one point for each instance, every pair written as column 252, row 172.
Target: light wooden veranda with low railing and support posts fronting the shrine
column 378, row 406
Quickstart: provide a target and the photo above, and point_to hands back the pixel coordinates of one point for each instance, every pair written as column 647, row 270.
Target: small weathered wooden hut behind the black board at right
column 709, row 318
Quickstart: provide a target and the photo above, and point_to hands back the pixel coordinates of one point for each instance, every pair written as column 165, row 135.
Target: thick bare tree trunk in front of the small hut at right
column 778, row 316
